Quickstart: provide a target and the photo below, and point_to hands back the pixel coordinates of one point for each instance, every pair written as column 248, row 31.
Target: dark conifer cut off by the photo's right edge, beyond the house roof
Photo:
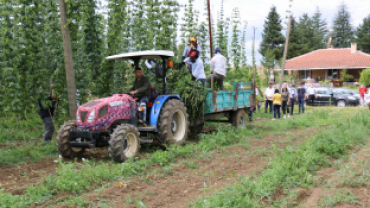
column 363, row 35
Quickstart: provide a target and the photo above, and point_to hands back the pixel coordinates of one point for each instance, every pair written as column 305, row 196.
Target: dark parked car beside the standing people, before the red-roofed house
column 331, row 97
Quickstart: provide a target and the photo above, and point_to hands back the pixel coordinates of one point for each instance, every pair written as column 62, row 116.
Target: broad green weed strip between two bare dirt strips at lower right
column 292, row 168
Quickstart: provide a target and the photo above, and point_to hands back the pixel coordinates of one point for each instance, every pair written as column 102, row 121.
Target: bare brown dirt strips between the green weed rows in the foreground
column 181, row 182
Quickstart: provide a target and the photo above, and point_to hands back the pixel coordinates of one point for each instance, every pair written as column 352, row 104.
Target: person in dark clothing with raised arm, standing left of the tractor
column 47, row 114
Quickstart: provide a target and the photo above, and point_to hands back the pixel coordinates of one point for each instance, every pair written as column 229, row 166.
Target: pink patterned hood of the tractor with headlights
column 105, row 111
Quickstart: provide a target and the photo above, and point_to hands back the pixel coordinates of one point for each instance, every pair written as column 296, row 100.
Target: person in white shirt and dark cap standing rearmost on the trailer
column 218, row 69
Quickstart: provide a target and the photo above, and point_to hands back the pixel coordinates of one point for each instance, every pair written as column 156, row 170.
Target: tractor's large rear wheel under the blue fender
column 173, row 123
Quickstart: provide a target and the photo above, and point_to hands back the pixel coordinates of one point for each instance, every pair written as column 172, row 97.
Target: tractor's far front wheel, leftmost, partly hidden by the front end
column 64, row 148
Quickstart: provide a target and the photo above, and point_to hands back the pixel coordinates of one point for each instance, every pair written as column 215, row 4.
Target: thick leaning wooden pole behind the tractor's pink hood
column 68, row 60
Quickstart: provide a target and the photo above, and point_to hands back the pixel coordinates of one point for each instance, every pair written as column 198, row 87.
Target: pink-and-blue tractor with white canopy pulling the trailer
column 113, row 121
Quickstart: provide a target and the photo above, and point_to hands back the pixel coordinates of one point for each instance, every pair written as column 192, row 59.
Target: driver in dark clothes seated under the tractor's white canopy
column 141, row 91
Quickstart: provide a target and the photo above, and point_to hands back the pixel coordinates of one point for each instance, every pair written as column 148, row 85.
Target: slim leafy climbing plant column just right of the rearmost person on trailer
column 236, row 36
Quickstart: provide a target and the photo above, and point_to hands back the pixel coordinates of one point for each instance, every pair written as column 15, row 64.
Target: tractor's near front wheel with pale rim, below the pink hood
column 124, row 143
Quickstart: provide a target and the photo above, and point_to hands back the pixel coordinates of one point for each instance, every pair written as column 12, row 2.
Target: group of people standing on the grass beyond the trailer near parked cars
column 285, row 98
